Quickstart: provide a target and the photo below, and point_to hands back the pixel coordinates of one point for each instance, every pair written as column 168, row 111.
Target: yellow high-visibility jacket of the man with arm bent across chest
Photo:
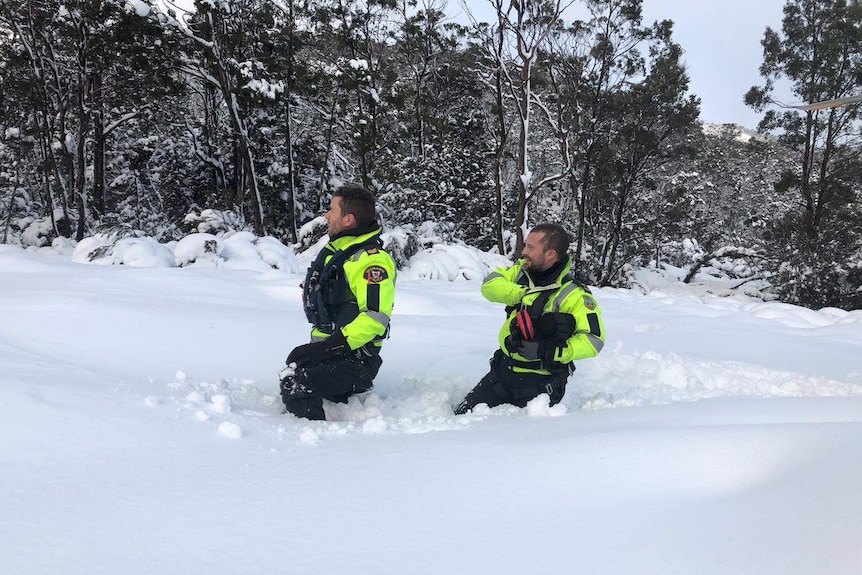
column 514, row 287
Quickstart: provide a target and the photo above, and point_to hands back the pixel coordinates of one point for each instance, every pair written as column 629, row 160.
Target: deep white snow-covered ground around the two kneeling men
column 141, row 433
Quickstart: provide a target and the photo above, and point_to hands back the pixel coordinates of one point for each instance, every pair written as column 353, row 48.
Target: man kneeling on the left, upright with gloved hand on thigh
column 348, row 295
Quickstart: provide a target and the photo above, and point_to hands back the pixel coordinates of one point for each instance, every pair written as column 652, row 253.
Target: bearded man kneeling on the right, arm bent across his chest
column 551, row 322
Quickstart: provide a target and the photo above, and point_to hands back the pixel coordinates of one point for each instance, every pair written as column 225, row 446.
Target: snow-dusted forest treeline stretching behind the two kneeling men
column 128, row 117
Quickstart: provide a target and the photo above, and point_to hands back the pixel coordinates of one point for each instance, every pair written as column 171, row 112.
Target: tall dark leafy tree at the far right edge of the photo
column 817, row 55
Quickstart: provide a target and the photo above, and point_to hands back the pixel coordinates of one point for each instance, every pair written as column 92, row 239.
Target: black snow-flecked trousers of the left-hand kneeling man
column 334, row 379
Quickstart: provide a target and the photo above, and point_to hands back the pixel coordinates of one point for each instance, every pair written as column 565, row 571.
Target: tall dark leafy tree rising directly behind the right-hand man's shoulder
column 614, row 95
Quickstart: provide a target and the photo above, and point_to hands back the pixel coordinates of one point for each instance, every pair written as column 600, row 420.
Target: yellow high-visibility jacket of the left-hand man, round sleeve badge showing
column 359, row 296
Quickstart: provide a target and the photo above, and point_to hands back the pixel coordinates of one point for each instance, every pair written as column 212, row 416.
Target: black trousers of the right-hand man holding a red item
column 502, row 385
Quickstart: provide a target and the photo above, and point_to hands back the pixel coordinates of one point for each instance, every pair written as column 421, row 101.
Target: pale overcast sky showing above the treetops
column 721, row 39
